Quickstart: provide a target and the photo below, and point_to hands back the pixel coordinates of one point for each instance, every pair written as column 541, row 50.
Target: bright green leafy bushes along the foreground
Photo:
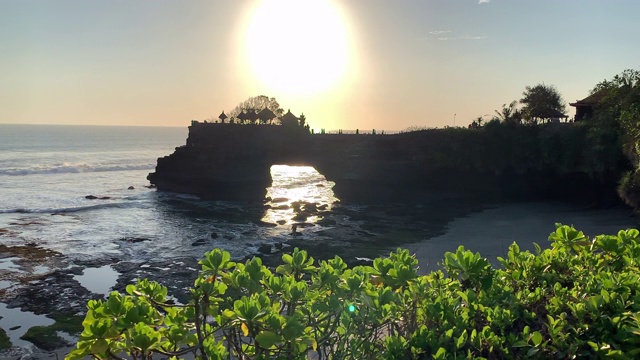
column 579, row 298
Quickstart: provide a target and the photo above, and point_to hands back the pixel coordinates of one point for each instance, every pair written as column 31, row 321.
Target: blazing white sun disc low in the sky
column 295, row 47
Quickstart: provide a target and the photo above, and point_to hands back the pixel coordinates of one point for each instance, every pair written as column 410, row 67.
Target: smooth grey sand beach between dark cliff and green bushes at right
column 491, row 231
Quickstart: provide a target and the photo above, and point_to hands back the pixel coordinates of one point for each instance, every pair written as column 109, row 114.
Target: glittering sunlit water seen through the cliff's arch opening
column 298, row 195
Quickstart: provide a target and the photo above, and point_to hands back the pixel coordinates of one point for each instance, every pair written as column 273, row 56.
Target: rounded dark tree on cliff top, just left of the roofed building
column 539, row 100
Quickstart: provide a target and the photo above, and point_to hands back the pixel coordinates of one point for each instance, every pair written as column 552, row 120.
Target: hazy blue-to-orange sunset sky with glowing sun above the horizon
column 346, row 64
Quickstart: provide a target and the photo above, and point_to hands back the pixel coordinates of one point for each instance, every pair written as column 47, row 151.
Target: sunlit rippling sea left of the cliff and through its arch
column 47, row 173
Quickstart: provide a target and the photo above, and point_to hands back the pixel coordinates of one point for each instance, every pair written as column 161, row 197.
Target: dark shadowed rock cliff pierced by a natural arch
column 232, row 162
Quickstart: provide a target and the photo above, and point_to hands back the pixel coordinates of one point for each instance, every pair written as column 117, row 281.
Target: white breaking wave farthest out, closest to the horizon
column 68, row 168
